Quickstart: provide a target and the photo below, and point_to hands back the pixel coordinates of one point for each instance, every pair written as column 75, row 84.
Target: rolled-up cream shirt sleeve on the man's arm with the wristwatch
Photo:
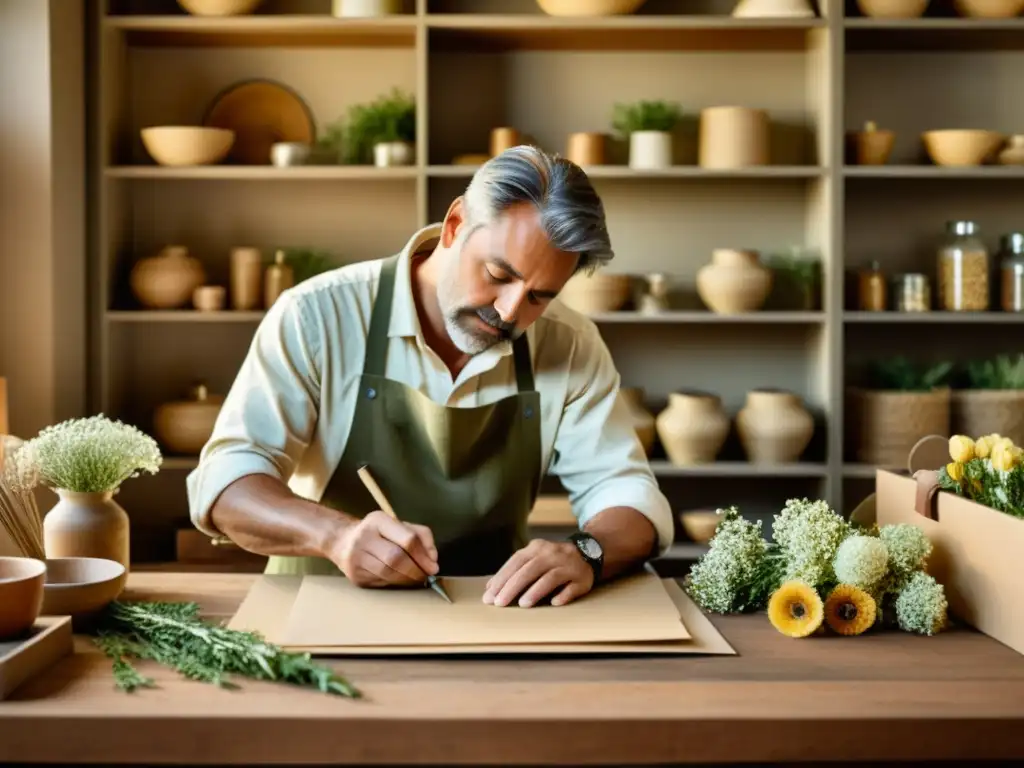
column 598, row 455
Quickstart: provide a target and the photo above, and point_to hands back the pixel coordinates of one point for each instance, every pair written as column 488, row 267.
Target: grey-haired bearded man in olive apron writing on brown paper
column 453, row 373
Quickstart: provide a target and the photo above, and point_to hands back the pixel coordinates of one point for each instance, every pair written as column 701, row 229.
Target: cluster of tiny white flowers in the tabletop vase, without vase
column 94, row 455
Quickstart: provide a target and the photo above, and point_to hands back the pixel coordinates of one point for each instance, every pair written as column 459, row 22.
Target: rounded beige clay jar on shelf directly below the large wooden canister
column 735, row 282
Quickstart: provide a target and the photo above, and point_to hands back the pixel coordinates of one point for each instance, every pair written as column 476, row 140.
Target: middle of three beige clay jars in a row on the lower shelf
column 693, row 429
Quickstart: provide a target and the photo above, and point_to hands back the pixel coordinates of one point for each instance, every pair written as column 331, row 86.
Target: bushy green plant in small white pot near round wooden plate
column 382, row 133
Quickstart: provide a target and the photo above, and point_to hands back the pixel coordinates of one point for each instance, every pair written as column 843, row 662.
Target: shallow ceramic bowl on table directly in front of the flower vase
column 80, row 587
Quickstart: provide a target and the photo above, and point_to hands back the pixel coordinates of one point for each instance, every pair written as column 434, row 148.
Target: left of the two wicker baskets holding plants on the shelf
column 885, row 425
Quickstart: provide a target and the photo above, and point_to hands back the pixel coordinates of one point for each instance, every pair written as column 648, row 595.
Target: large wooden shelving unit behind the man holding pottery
column 474, row 65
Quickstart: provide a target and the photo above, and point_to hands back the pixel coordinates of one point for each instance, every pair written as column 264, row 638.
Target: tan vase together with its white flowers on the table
column 84, row 462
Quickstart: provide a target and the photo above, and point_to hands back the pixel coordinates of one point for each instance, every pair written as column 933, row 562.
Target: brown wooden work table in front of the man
column 884, row 697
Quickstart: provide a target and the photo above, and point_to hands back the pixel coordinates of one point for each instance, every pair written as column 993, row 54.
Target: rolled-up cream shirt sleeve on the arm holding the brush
column 269, row 415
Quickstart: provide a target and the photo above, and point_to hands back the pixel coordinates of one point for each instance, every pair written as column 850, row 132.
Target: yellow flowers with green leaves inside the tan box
column 988, row 471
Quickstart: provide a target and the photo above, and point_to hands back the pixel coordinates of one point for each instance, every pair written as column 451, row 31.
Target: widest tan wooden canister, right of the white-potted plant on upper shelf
column 734, row 138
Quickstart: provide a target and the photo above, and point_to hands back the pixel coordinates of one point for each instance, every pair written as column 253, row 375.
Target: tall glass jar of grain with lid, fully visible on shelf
column 963, row 270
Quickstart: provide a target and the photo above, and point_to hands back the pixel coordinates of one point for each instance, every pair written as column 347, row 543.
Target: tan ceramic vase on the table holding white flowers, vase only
column 88, row 526
